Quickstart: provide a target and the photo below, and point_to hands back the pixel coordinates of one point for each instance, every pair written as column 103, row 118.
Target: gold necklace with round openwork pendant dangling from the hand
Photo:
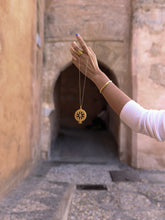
column 80, row 115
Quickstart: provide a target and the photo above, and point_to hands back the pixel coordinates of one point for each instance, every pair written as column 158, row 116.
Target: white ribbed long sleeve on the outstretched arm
column 148, row 122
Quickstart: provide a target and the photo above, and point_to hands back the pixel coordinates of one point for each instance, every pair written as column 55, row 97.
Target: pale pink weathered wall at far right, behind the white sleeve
column 148, row 69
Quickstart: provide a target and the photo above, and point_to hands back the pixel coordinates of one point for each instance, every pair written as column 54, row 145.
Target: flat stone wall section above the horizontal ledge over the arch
column 94, row 20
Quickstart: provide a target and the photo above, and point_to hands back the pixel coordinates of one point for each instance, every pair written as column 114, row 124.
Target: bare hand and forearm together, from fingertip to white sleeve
column 114, row 96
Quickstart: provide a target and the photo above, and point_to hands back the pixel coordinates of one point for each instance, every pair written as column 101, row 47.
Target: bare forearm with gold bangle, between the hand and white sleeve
column 113, row 95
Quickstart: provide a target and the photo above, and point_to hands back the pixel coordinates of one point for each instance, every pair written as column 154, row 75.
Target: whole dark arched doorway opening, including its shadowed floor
column 94, row 140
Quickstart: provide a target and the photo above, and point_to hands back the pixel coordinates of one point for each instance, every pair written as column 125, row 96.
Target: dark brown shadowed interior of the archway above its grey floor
column 66, row 102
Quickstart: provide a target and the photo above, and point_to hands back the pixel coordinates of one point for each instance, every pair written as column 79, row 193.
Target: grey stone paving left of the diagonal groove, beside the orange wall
column 36, row 198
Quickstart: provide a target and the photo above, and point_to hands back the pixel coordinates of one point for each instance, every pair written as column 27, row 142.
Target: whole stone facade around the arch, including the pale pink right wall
column 127, row 36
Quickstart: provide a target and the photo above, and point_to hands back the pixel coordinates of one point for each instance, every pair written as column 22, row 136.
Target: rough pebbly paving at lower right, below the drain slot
column 121, row 201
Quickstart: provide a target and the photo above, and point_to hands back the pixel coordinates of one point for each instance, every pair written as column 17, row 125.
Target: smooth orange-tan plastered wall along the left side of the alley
column 19, row 90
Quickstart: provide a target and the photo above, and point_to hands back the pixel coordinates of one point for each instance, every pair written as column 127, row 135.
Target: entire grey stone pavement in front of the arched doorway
column 85, row 190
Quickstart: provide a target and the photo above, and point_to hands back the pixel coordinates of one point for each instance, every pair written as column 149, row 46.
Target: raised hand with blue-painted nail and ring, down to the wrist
column 87, row 61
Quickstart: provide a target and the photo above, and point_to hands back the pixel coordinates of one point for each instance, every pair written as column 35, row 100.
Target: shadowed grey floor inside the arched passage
column 84, row 146
